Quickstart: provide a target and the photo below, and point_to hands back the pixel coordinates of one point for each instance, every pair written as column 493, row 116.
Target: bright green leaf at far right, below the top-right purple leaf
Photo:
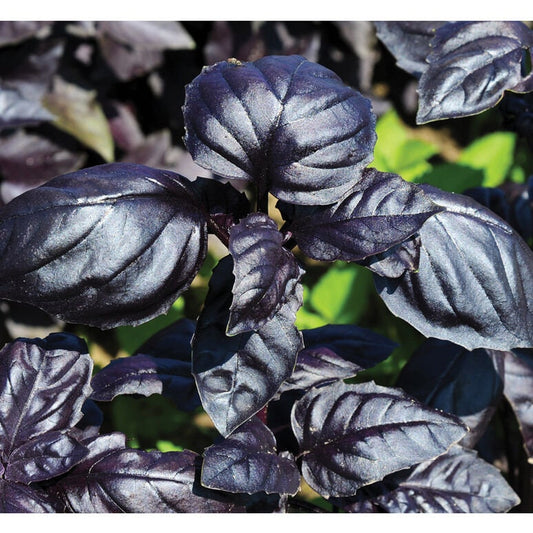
column 493, row 154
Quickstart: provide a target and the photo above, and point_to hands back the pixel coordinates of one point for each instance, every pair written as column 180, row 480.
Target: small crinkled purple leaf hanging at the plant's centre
column 266, row 274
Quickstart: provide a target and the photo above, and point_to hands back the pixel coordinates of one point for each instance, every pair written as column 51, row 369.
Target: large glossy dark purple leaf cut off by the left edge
column 106, row 246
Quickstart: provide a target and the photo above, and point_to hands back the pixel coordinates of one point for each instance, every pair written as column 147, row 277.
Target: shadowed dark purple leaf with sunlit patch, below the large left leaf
column 161, row 366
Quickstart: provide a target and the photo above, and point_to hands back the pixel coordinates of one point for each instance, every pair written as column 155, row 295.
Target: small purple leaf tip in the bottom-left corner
column 19, row 498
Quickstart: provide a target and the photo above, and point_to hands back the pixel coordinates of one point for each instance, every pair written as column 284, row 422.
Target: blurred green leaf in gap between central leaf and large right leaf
column 341, row 295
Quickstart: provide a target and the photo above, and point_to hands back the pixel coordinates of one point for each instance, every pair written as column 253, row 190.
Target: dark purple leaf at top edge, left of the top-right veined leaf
column 408, row 42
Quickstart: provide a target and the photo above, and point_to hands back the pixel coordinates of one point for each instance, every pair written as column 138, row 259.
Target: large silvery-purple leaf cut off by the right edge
column 473, row 285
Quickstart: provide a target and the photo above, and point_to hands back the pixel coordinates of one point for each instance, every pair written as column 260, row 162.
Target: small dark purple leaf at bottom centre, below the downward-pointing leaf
column 247, row 462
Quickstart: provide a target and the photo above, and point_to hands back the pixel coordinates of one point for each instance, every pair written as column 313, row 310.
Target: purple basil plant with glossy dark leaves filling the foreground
column 116, row 244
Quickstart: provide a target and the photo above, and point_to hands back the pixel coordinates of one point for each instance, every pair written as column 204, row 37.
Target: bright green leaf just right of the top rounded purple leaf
column 397, row 151
